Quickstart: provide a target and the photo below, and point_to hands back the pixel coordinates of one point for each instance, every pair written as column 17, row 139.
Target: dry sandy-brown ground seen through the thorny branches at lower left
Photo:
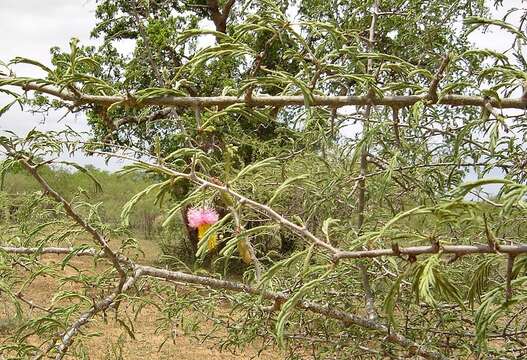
column 146, row 344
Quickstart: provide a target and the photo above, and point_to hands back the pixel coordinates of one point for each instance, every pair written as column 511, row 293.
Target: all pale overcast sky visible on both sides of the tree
column 31, row 27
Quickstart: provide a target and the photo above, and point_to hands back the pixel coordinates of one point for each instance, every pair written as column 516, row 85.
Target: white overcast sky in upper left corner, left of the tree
column 34, row 26
